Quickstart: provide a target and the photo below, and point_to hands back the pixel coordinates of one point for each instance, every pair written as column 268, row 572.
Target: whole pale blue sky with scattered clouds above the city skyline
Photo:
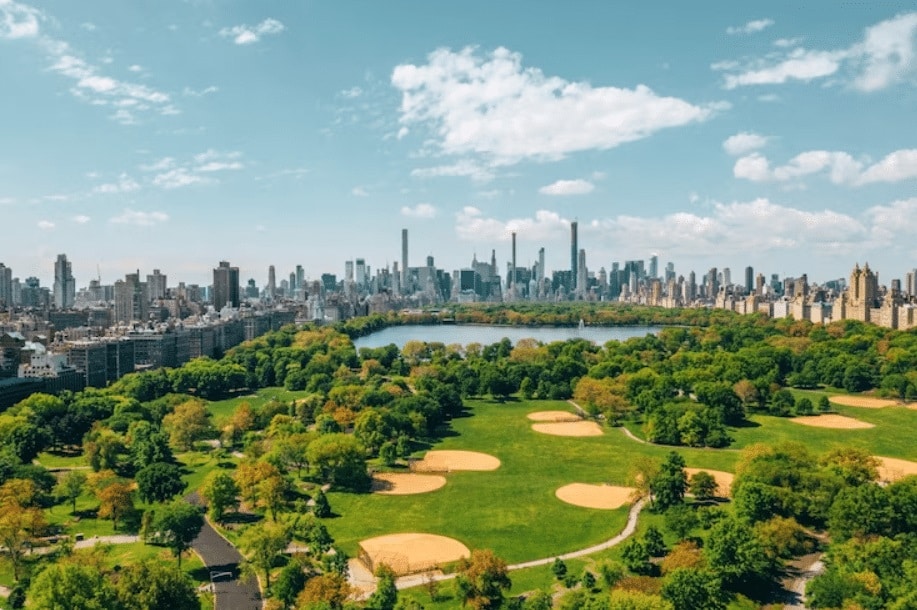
column 175, row 134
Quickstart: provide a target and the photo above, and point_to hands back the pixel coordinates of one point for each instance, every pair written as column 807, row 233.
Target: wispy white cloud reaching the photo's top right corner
column 885, row 56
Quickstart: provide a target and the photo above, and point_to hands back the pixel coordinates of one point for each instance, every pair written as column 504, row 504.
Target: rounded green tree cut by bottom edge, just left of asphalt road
column 152, row 585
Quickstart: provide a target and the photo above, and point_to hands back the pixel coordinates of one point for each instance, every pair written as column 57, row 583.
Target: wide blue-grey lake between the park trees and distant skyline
column 486, row 334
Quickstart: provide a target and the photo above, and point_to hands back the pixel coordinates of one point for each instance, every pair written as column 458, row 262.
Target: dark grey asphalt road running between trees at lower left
column 223, row 559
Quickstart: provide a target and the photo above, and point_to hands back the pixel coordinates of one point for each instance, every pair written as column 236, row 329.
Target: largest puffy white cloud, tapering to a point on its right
column 492, row 107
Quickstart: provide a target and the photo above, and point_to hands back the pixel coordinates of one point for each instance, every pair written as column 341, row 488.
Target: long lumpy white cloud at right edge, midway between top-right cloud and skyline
column 841, row 166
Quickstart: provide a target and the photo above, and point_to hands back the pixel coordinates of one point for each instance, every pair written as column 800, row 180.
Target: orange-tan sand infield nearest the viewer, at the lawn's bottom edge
column 411, row 553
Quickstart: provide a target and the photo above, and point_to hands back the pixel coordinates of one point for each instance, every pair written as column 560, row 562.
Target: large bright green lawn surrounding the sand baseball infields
column 512, row 510
